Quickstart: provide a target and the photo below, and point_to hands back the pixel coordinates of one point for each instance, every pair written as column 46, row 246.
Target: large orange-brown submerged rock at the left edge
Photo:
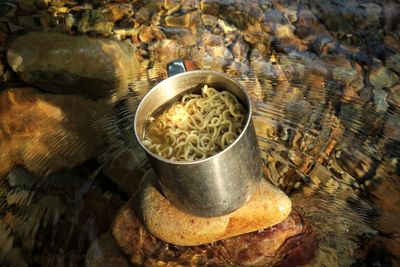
column 45, row 133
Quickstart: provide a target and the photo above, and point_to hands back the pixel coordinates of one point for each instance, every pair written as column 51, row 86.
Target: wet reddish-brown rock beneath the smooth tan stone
column 284, row 243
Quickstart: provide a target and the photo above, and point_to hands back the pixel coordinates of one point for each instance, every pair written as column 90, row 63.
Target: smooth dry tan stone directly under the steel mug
column 269, row 206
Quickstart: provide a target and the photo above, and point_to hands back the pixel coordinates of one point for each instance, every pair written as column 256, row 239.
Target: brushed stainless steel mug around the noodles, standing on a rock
column 216, row 185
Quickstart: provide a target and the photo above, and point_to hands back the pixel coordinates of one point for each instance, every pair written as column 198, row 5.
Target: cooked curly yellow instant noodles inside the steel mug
column 197, row 127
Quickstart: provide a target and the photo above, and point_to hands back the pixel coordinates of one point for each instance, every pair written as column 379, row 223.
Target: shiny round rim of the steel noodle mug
column 160, row 84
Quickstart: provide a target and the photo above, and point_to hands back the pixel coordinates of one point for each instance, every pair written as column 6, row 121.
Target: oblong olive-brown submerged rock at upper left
column 62, row 64
